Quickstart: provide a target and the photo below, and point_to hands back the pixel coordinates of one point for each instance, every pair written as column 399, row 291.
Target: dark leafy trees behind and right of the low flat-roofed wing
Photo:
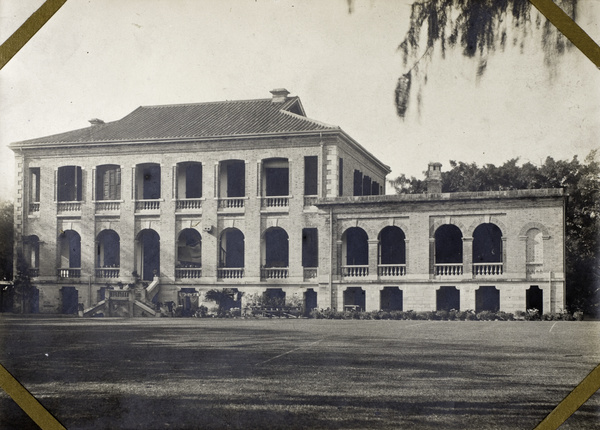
column 582, row 183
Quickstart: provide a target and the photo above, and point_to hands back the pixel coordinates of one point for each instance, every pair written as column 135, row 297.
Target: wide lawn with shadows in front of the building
column 320, row 374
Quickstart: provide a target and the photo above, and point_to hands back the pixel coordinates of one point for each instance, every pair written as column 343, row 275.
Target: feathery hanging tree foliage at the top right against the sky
column 478, row 28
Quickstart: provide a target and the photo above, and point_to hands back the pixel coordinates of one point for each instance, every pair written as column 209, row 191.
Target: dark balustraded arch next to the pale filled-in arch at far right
column 487, row 250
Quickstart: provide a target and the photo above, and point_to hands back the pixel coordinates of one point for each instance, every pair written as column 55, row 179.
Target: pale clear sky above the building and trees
column 104, row 58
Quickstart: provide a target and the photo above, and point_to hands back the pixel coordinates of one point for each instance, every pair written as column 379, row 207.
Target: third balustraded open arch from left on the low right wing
column 448, row 250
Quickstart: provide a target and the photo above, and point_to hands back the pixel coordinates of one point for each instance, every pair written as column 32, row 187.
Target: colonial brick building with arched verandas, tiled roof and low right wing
column 172, row 201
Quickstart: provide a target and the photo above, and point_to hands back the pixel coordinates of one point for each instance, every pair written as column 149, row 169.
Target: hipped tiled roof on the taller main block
column 199, row 120
